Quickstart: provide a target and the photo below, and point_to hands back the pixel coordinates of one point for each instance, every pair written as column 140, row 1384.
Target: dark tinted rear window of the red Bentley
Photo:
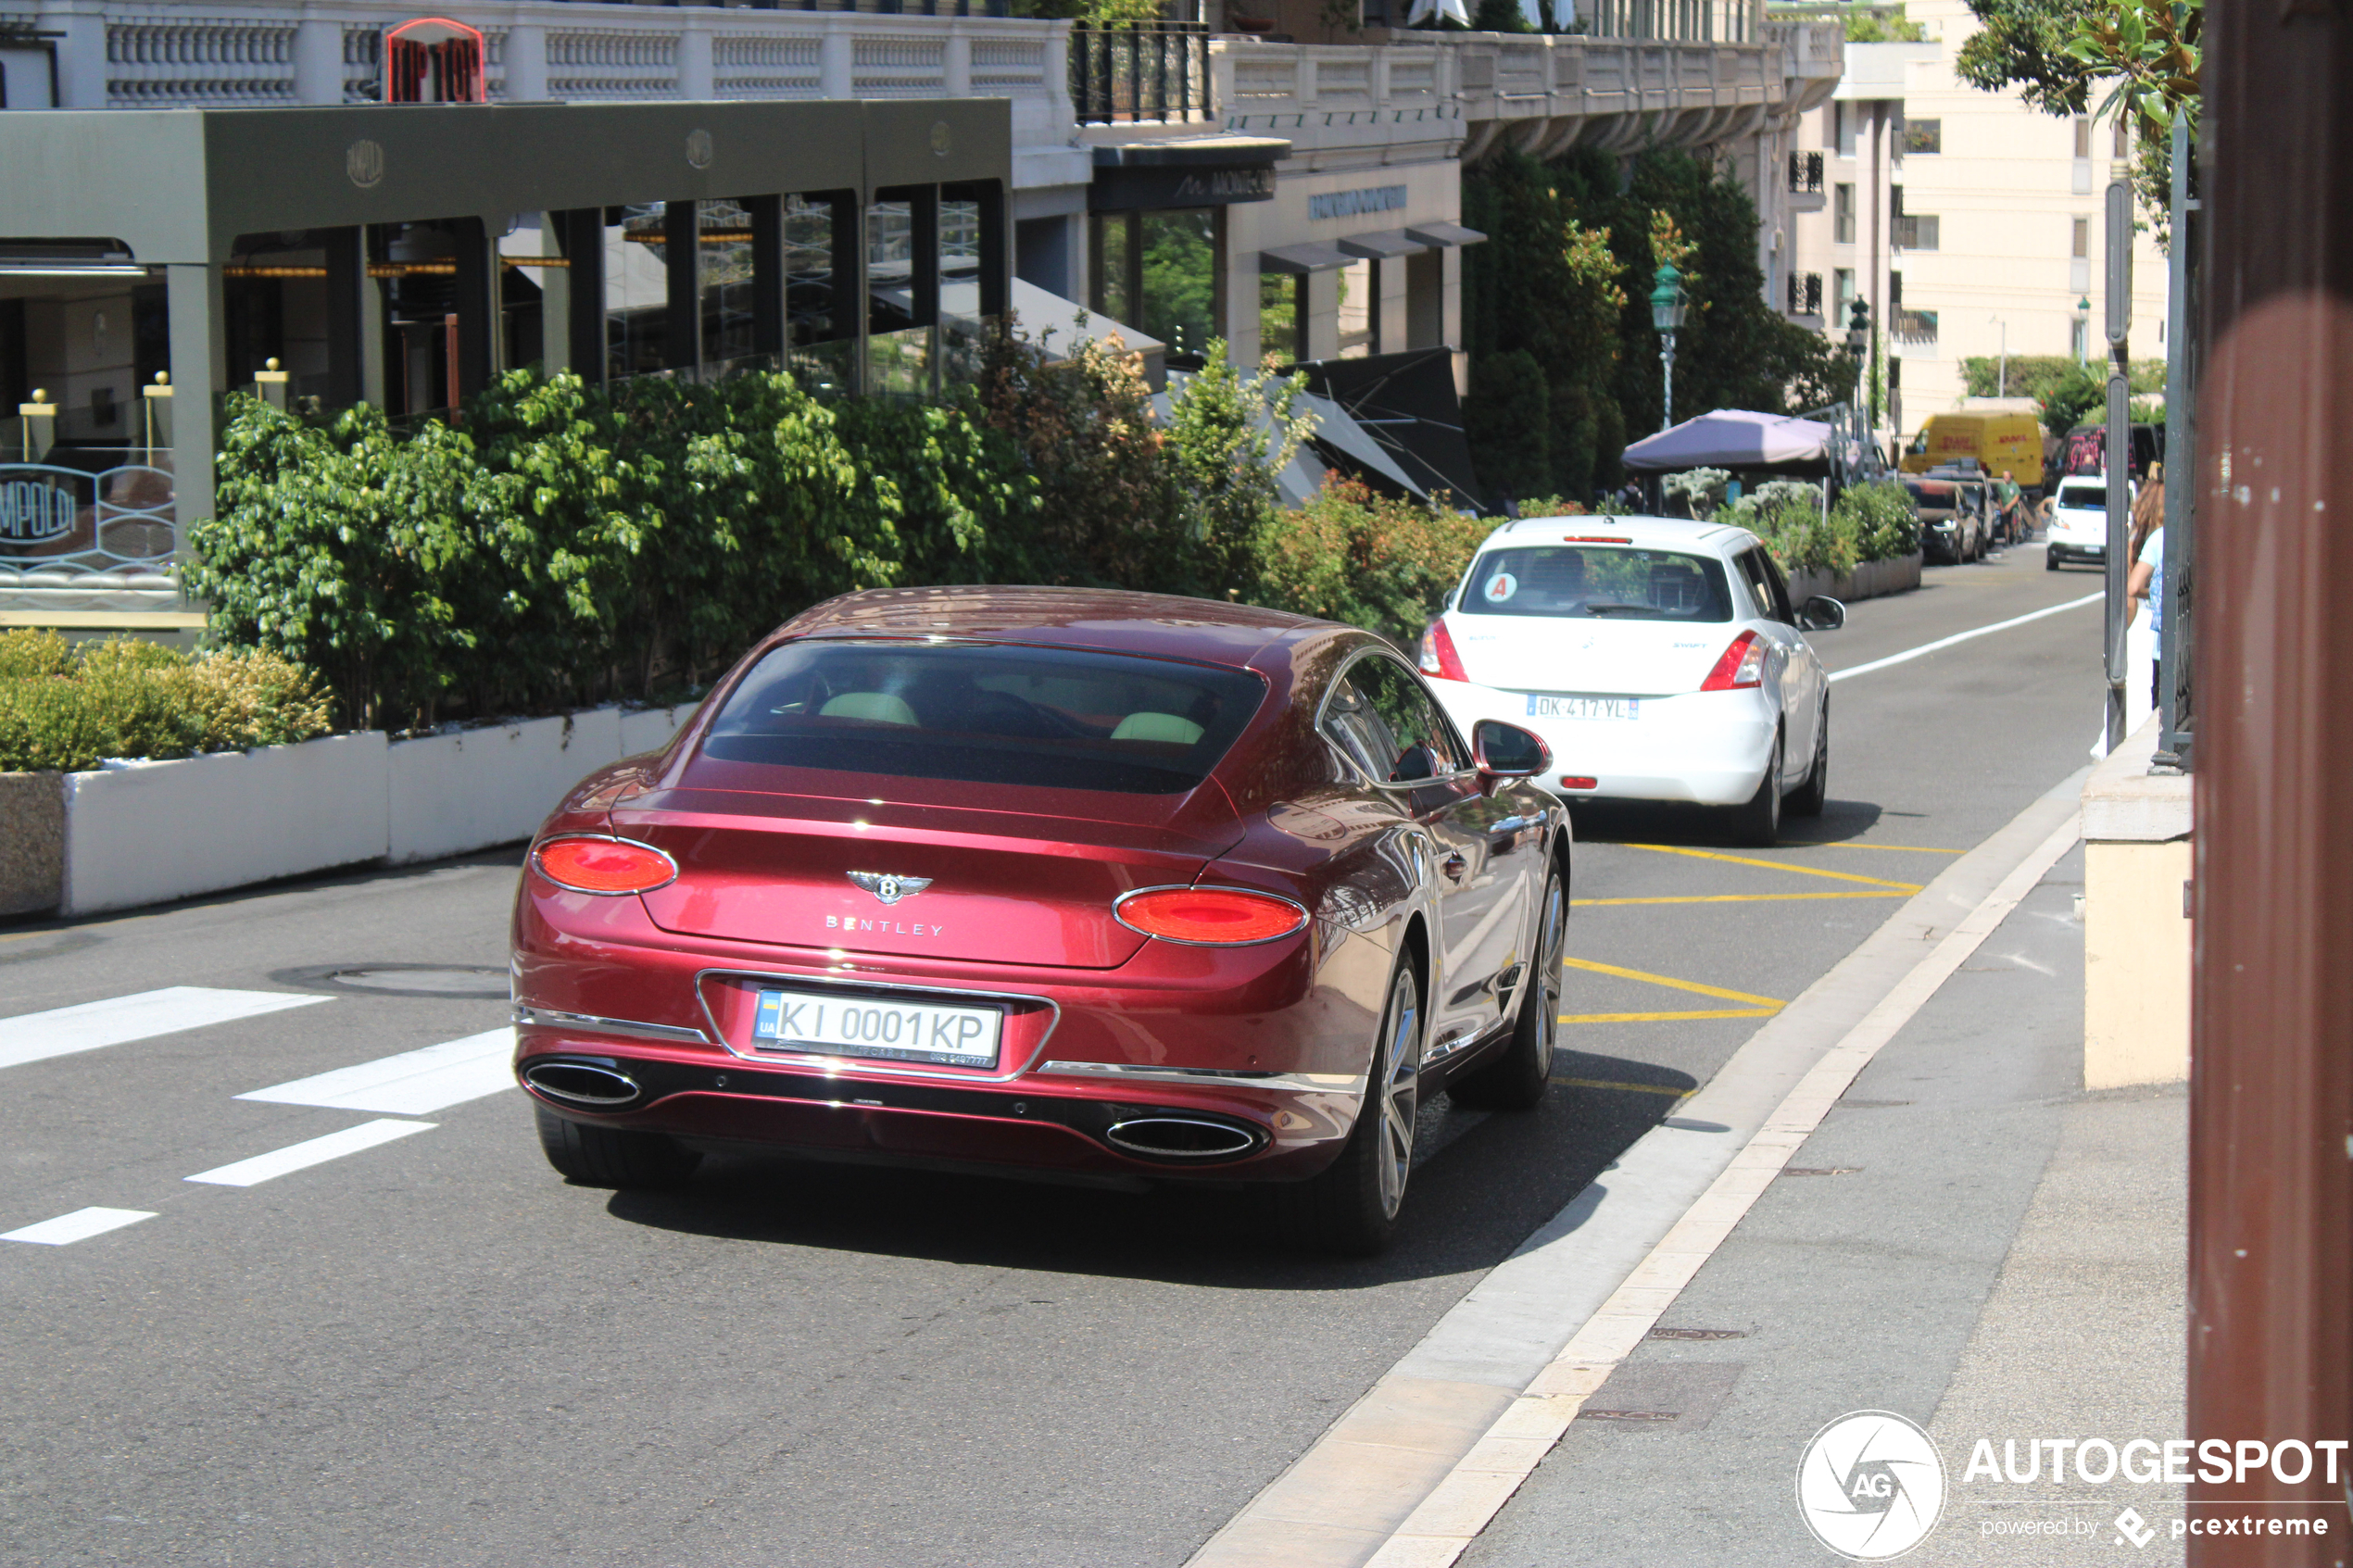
column 987, row 713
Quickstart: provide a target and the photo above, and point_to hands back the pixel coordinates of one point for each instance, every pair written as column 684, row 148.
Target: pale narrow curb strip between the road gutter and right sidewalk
column 1479, row 1487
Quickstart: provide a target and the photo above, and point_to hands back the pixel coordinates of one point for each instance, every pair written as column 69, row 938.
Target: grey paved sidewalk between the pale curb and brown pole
column 1971, row 1242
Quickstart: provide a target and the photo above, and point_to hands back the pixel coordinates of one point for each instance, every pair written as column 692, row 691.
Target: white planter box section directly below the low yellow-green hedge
column 159, row 831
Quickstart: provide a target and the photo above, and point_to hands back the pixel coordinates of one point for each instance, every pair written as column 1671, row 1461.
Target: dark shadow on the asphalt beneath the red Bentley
column 1467, row 1209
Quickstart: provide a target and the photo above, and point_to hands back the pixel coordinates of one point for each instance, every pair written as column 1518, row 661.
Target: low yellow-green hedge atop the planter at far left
column 67, row 709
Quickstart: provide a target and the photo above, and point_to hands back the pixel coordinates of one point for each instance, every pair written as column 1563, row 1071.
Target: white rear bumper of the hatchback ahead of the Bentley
column 1707, row 749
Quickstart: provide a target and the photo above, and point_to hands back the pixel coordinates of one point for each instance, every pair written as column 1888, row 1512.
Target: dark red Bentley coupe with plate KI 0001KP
column 1067, row 883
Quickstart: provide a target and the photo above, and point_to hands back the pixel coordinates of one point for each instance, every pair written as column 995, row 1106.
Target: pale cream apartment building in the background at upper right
column 1966, row 220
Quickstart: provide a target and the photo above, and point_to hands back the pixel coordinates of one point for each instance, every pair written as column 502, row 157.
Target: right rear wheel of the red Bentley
column 1352, row 1205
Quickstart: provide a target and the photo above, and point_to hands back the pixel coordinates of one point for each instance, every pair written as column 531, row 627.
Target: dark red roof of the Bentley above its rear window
column 1062, row 617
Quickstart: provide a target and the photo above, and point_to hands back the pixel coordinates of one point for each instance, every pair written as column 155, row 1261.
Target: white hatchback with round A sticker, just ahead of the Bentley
column 1660, row 659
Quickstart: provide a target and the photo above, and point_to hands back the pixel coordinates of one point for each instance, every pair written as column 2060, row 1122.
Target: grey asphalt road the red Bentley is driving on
column 436, row 1353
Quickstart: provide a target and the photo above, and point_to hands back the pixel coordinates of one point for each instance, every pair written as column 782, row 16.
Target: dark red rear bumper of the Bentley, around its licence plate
column 1262, row 1043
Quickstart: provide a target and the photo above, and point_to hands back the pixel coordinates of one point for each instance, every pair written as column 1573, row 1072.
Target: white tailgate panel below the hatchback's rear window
column 1589, row 655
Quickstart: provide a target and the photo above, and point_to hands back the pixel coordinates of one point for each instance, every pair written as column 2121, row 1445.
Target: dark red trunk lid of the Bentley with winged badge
column 999, row 883
